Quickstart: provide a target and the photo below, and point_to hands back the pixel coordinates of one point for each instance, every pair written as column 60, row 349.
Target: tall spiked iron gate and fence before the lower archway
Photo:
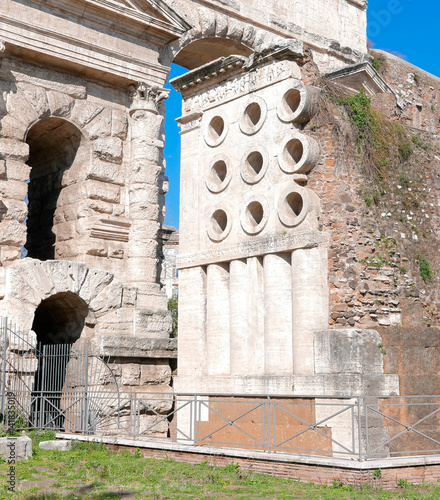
column 61, row 386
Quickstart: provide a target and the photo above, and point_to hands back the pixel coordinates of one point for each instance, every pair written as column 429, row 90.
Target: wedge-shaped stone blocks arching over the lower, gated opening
column 59, row 283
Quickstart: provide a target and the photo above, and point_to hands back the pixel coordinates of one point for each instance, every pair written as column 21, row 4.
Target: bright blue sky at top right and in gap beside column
column 407, row 27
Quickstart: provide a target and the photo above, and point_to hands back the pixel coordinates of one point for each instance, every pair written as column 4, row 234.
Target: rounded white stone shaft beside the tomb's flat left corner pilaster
column 218, row 319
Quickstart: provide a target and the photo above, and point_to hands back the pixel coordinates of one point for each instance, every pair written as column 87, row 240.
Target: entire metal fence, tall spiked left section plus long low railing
column 72, row 389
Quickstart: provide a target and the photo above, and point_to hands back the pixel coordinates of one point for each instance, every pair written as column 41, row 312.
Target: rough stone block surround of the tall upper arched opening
column 27, row 105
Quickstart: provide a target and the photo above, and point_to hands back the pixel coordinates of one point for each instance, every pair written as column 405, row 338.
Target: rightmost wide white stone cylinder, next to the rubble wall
column 310, row 304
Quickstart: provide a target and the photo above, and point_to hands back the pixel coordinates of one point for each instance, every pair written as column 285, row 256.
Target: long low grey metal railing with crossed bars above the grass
column 352, row 428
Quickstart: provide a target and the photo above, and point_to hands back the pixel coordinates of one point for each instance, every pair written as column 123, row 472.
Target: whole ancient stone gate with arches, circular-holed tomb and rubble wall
column 286, row 267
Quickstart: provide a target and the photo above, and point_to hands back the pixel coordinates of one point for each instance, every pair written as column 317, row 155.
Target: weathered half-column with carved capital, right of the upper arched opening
column 146, row 141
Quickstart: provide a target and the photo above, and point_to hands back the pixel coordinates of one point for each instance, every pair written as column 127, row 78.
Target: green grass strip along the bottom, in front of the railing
column 90, row 471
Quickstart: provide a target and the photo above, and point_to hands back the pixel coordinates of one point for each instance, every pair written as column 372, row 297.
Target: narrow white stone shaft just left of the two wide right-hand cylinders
column 255, row 308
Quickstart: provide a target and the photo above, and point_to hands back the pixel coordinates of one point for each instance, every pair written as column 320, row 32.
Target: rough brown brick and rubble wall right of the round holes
column 375, row 245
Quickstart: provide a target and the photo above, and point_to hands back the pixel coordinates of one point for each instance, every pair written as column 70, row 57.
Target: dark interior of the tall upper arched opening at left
column 53, row 146
